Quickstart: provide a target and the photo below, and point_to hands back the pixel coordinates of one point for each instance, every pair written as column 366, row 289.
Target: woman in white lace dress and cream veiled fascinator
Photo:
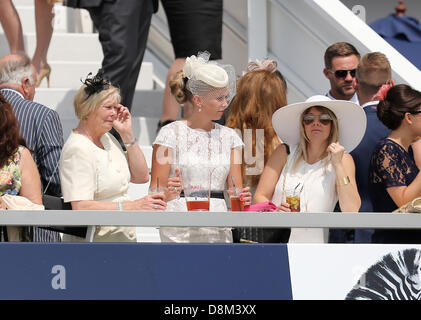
column 198, row 143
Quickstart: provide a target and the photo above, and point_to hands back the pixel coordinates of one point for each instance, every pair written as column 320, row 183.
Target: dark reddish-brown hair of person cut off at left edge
column 10, row 139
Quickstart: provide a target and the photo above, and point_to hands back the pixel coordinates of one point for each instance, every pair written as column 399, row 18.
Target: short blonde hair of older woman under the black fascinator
column 85, row 104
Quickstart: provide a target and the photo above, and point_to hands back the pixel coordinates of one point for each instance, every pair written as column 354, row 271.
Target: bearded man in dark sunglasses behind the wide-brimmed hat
column 341, row 62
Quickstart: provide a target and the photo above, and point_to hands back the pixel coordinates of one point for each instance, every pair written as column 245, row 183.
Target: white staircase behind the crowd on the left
column 74, row 52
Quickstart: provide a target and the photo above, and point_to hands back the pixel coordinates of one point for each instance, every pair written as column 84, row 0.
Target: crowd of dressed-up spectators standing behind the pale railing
column 352, row 149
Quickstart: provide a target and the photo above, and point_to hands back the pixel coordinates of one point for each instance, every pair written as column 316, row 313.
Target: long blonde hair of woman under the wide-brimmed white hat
column 304, row 141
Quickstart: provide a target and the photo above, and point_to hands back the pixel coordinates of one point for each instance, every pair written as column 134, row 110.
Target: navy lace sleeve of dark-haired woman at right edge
column 389, row 167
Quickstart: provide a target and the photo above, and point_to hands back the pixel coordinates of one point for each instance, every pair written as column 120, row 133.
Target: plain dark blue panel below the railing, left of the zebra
column 145, row 271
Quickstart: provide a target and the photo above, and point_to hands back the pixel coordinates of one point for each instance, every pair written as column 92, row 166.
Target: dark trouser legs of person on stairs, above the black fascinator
column 123, row 27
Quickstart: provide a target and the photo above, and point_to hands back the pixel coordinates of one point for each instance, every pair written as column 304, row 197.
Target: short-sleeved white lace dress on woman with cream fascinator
column 210, row 150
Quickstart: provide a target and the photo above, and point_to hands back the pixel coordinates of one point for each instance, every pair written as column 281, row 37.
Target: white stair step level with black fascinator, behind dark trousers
column 66, row 74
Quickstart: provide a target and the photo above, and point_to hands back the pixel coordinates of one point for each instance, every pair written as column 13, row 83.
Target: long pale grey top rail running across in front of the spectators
column 210, row 219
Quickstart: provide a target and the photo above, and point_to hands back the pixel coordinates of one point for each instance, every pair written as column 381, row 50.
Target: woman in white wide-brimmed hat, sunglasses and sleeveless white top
column 320, row 133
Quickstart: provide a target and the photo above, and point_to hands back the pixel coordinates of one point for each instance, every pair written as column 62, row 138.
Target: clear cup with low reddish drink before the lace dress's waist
column 196, row 186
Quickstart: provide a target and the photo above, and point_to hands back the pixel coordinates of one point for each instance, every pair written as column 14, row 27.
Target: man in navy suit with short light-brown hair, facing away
column 373, row 72
